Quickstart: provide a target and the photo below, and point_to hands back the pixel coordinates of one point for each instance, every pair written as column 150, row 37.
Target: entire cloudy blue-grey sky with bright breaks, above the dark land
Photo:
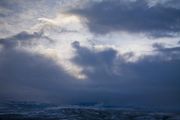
column 111, row 52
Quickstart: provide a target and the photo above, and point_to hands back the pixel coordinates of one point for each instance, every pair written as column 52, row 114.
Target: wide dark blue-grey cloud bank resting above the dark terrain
column 151, row 81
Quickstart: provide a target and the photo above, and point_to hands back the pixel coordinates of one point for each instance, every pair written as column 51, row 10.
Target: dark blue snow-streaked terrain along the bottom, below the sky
column 36, row 111
